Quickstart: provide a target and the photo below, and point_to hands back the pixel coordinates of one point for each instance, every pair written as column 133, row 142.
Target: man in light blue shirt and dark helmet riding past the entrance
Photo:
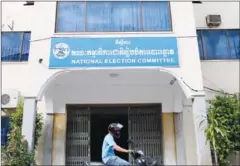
column 109, row 145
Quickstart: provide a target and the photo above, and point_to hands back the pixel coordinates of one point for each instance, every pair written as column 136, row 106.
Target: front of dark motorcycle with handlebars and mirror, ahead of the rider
column 139, row 159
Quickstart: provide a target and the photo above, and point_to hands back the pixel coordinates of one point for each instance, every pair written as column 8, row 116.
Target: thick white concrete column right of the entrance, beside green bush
column 197, row 152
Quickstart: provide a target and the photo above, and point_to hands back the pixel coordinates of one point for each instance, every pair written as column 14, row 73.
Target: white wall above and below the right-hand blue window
column 219, row 74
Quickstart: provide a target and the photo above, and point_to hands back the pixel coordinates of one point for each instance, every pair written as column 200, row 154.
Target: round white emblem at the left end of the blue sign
column 61, row 50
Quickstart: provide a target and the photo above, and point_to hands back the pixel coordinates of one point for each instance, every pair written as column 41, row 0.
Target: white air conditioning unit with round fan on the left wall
column 10, row 99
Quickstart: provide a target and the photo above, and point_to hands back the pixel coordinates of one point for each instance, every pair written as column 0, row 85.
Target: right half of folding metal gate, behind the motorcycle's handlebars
column 145, row 130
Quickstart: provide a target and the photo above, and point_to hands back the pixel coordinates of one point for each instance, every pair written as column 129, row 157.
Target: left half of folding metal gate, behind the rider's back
column 78, row 136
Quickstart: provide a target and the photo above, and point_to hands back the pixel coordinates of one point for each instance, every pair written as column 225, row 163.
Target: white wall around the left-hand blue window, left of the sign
column 41, row 24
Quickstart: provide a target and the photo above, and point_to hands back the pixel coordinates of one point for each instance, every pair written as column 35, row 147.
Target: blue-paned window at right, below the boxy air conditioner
column 219, row 44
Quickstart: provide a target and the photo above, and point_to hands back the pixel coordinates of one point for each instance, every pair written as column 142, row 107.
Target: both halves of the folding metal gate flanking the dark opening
column 144, row 130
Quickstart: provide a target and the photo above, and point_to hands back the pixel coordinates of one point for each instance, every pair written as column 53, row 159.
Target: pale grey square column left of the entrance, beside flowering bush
column 29, row 118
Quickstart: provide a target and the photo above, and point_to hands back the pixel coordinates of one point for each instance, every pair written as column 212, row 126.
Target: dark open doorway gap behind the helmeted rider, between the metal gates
column 101, row 117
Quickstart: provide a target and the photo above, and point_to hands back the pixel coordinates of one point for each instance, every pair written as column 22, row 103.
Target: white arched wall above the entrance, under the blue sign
column 99, row 88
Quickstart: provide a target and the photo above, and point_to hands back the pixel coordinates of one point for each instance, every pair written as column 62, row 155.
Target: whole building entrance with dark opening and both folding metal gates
column 87, row 126
